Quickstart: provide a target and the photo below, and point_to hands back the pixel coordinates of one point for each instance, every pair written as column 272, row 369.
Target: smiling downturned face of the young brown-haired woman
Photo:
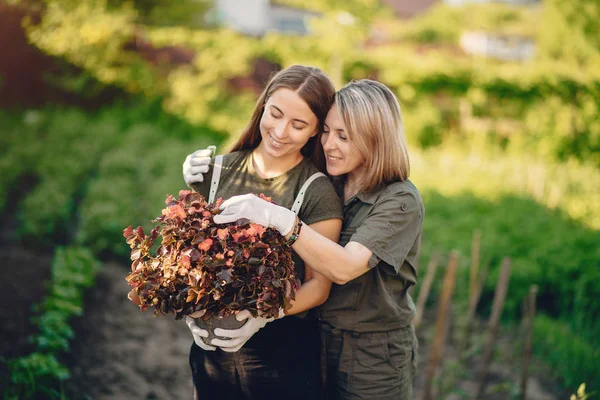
column 286, row 124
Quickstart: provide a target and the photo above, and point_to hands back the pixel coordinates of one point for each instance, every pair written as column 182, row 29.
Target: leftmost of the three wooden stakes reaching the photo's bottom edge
column 437, row 349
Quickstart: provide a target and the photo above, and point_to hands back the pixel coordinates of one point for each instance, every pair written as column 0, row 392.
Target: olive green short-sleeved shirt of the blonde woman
column 388, row 222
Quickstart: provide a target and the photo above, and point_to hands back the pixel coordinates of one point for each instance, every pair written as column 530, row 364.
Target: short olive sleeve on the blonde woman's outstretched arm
column 391, row 230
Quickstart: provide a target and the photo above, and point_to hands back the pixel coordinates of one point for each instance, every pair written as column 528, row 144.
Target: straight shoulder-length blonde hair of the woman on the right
column 373, row 122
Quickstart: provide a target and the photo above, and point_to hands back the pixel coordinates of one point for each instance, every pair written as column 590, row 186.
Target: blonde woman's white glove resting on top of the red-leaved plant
column 256, row 210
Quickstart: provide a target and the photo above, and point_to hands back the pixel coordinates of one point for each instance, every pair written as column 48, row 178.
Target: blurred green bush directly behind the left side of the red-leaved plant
column 131, row 186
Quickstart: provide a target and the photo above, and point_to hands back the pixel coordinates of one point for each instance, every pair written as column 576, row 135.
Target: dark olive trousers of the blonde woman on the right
column 372, row 365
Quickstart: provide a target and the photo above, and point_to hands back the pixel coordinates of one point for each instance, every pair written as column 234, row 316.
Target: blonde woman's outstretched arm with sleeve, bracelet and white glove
column 398, row 216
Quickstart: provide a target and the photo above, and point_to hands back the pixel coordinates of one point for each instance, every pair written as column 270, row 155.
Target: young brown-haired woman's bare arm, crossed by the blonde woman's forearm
column 315, row 289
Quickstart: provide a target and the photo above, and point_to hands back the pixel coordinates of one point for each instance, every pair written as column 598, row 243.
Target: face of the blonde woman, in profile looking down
column 341, row 154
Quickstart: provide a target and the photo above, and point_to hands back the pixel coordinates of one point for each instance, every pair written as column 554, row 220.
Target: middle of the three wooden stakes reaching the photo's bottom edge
column 497, row 306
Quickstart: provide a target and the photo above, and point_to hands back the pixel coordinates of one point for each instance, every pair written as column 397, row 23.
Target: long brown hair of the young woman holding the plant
column 314, row 87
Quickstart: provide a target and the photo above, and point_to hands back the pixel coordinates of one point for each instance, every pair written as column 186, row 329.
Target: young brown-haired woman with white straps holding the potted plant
column 278, row 152
